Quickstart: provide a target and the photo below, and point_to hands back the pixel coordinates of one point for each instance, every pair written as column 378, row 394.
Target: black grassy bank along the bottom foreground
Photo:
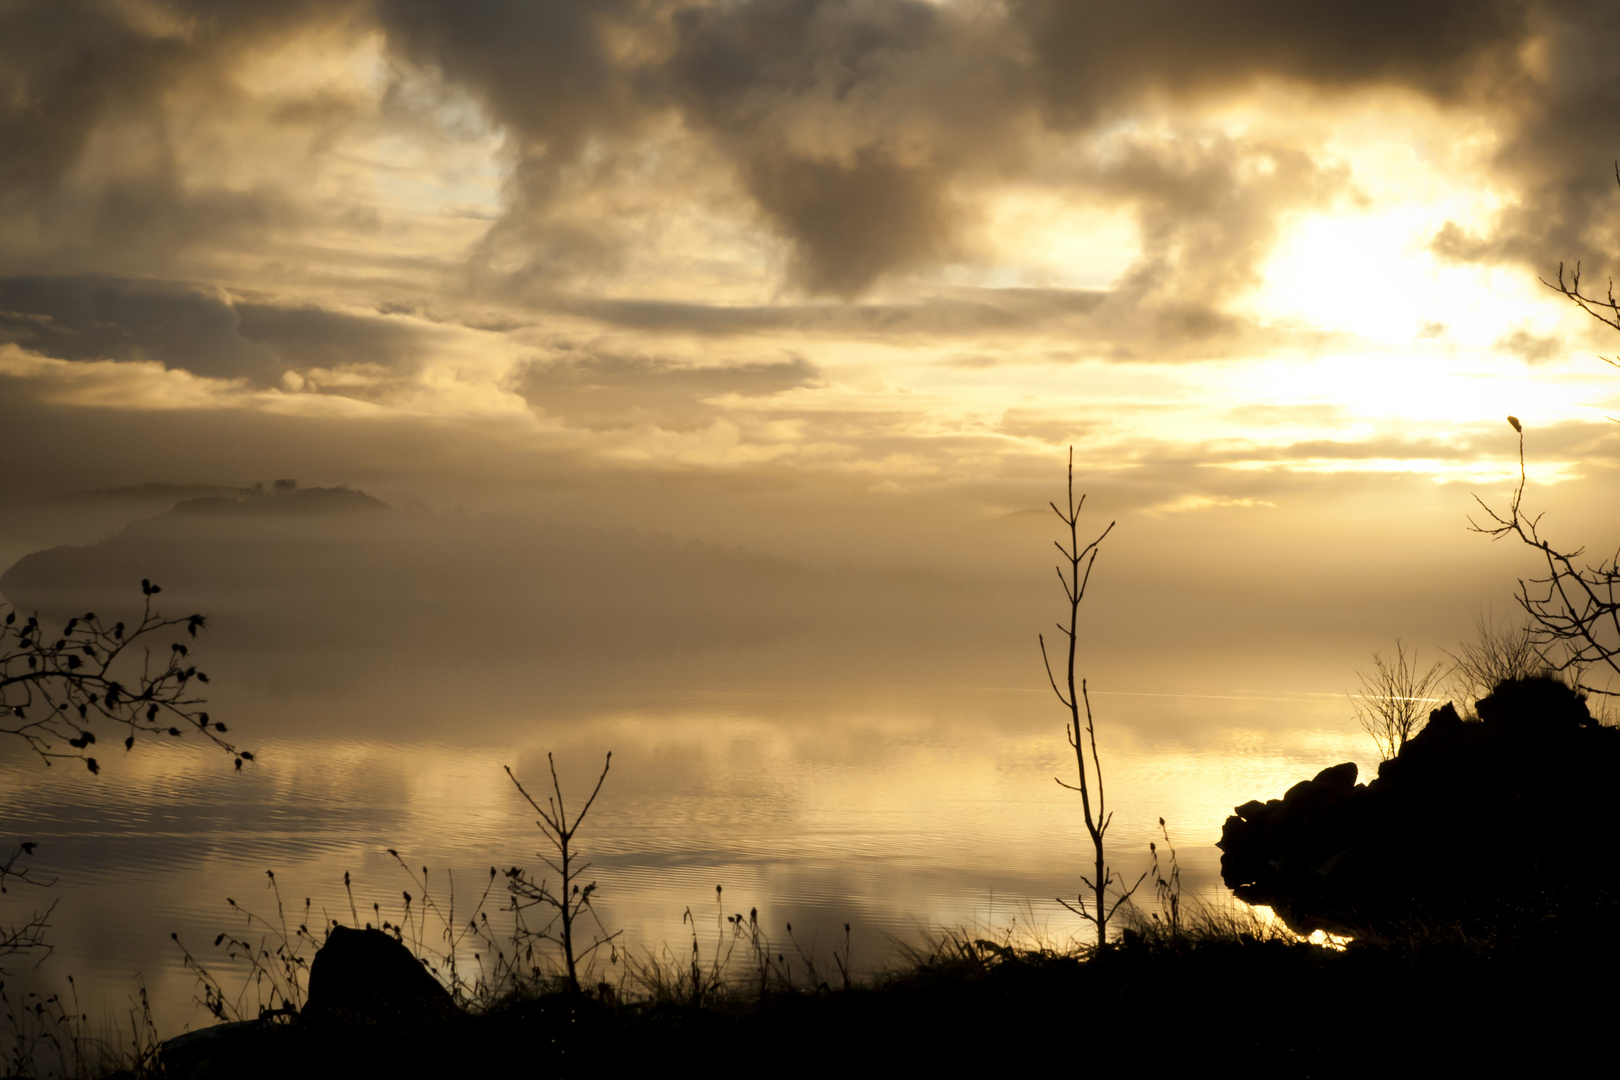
column 1221, row 1008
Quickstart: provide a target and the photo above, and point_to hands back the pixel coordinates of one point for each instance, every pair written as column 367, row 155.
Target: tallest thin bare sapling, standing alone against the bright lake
column 1098, row 814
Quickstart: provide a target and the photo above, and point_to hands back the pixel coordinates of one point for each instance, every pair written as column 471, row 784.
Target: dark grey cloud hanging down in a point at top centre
column 890, row 100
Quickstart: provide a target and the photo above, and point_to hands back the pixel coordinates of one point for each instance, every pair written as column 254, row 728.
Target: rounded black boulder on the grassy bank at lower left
column 369, row 977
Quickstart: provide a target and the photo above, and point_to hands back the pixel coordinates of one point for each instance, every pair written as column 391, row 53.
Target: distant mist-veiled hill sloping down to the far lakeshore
column 328, row 608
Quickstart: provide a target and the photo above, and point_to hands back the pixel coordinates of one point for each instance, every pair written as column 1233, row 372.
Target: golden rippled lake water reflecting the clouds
column 892, row 810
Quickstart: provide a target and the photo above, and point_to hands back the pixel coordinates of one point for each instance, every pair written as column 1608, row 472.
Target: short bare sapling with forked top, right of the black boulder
column 571, row 901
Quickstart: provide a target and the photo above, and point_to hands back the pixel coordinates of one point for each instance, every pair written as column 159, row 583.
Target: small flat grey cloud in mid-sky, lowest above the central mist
column 607, row 391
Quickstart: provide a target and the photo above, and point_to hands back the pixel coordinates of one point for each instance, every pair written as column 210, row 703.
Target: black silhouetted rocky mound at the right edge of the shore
column 1493, row 825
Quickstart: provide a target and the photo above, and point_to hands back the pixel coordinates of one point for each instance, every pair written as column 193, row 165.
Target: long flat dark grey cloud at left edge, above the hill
column 192, row 328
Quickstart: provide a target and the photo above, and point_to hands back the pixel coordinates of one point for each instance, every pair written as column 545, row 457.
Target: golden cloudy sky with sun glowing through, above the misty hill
column 838, row 283
